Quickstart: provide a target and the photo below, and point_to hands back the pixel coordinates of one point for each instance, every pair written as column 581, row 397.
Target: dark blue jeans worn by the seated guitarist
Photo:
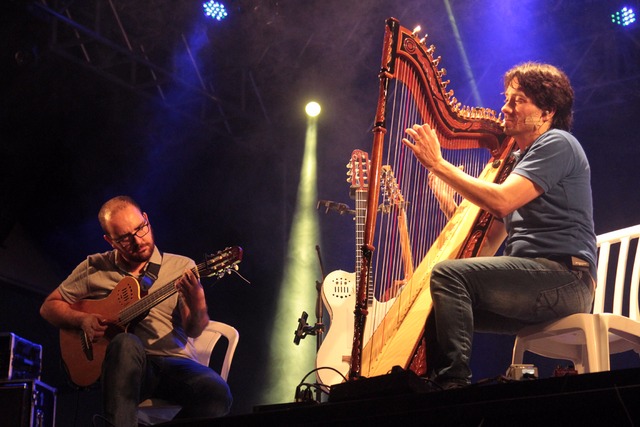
column 129, row 376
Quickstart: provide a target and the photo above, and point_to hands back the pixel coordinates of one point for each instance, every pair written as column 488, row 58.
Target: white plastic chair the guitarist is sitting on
column 153, row 411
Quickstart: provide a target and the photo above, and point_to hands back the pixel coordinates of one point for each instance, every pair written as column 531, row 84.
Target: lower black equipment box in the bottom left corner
column 28, row 403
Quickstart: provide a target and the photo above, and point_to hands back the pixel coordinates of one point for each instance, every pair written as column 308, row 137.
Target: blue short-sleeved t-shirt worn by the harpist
column 560, row 221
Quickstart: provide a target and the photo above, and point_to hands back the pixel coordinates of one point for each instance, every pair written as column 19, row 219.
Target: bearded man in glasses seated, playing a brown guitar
column 146, row 355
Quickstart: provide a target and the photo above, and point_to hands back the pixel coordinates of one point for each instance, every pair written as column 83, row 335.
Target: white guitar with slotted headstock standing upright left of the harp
column 339, row 288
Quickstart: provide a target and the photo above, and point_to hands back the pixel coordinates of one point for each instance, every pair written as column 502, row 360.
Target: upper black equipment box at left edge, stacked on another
column 19, row 358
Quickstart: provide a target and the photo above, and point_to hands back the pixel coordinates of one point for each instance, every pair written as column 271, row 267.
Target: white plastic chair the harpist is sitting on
column 588, row 340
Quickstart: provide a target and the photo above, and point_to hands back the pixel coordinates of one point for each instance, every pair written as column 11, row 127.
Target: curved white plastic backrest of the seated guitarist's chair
column 204, row 344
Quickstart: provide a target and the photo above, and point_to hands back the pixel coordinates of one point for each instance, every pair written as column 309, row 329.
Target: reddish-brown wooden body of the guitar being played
column 84, row 364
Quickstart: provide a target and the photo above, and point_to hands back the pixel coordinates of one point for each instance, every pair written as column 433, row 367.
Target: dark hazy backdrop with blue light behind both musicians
column 211, row 142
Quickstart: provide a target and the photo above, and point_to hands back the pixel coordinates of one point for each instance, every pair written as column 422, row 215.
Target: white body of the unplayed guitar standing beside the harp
column 339, row 296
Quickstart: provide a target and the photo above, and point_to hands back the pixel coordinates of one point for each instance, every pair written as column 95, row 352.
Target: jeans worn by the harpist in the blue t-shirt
column 498, row 294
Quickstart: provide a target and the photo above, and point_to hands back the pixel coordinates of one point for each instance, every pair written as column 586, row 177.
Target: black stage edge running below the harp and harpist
column 599, row 399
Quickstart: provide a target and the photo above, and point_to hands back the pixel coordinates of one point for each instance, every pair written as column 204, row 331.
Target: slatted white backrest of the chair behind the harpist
column 622, row 238
